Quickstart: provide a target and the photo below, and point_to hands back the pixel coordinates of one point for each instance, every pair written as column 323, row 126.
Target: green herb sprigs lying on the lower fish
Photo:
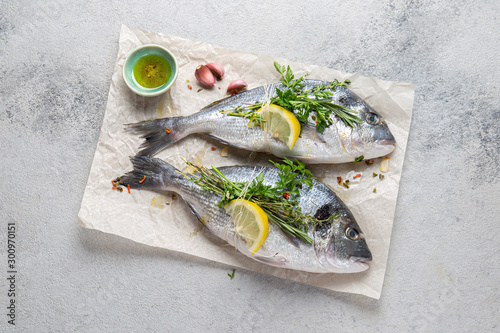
column 280, row 202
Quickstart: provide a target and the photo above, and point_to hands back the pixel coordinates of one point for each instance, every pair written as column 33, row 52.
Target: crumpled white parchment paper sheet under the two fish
column 160, row 220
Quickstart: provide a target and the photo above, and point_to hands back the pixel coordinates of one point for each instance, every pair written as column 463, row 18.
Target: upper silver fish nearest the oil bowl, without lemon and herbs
column 339, row 142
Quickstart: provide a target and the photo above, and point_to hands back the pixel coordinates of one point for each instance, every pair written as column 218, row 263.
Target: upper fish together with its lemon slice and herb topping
column 346, row 128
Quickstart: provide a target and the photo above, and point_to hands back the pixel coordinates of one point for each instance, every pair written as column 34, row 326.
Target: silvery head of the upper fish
column 371, row 138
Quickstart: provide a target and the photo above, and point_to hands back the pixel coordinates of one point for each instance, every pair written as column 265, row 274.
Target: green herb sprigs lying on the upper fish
column 302, row 102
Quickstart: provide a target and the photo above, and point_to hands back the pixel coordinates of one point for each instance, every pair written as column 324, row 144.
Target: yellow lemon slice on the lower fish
column 250, row 222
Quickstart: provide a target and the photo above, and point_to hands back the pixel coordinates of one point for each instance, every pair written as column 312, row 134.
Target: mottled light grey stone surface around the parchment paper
column 56, row 61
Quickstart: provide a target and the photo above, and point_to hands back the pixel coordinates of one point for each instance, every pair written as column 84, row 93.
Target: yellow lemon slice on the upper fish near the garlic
column 279, row 123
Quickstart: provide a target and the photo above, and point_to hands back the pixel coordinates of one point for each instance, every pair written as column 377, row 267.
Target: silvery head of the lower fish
column 340, row 244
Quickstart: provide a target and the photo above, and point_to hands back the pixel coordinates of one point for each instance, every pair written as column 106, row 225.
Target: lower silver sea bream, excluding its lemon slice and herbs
column 338, row 244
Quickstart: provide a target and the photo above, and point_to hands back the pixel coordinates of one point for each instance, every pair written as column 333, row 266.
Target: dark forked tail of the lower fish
column 148, row 173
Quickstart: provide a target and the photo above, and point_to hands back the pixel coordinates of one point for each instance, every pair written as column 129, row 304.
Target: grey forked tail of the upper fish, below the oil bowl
column 158, row 134
